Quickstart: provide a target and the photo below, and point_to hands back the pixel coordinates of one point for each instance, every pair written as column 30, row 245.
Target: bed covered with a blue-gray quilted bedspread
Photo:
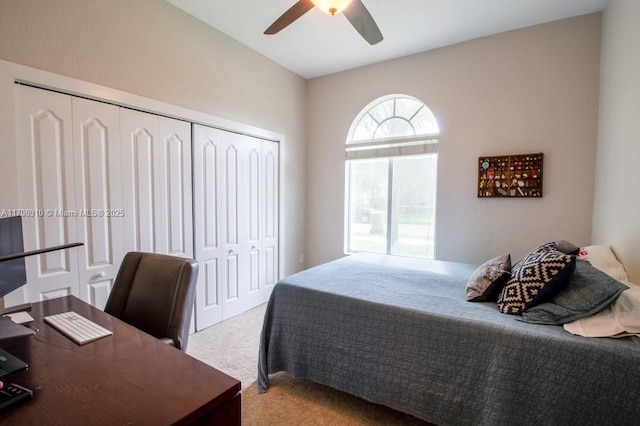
column 399, row 332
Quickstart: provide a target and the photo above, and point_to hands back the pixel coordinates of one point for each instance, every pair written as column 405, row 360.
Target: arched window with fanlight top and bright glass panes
column 391, row 168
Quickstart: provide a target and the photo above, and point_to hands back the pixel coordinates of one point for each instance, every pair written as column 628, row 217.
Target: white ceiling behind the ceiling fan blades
column 319, row 44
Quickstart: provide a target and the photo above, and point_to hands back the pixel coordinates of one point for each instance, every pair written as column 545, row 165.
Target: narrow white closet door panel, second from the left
column 98, row 188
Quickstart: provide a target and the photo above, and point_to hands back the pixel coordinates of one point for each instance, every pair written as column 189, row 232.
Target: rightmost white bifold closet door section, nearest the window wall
column 235, row 222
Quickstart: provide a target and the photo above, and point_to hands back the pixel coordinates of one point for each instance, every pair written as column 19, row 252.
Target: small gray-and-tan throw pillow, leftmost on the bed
column 488, row 279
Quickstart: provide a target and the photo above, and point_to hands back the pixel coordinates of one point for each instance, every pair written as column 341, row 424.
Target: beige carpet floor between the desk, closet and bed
column 232, row 347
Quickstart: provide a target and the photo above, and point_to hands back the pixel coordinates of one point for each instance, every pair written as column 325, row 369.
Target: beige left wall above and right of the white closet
column 153, row 49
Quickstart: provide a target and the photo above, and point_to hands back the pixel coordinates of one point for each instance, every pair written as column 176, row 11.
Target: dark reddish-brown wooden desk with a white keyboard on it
column 128, row 378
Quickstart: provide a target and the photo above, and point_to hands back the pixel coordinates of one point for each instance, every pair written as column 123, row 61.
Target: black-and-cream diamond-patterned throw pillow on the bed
column 535, row 278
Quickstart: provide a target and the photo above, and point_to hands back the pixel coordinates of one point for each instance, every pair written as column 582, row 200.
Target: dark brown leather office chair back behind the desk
column 155, row 293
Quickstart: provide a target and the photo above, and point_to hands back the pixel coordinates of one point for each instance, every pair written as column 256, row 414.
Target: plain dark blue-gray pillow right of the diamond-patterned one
column 588, row 291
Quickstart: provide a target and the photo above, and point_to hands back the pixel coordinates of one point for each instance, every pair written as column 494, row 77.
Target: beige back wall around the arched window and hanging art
column 530, row 90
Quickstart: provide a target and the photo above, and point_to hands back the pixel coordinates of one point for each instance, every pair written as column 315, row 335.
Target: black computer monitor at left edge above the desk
column 13, row 272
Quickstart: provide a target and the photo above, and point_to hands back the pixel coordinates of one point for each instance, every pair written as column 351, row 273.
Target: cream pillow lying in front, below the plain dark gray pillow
column 620, row 319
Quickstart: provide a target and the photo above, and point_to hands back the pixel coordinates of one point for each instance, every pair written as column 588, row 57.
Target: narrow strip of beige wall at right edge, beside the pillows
column 617, row 188
